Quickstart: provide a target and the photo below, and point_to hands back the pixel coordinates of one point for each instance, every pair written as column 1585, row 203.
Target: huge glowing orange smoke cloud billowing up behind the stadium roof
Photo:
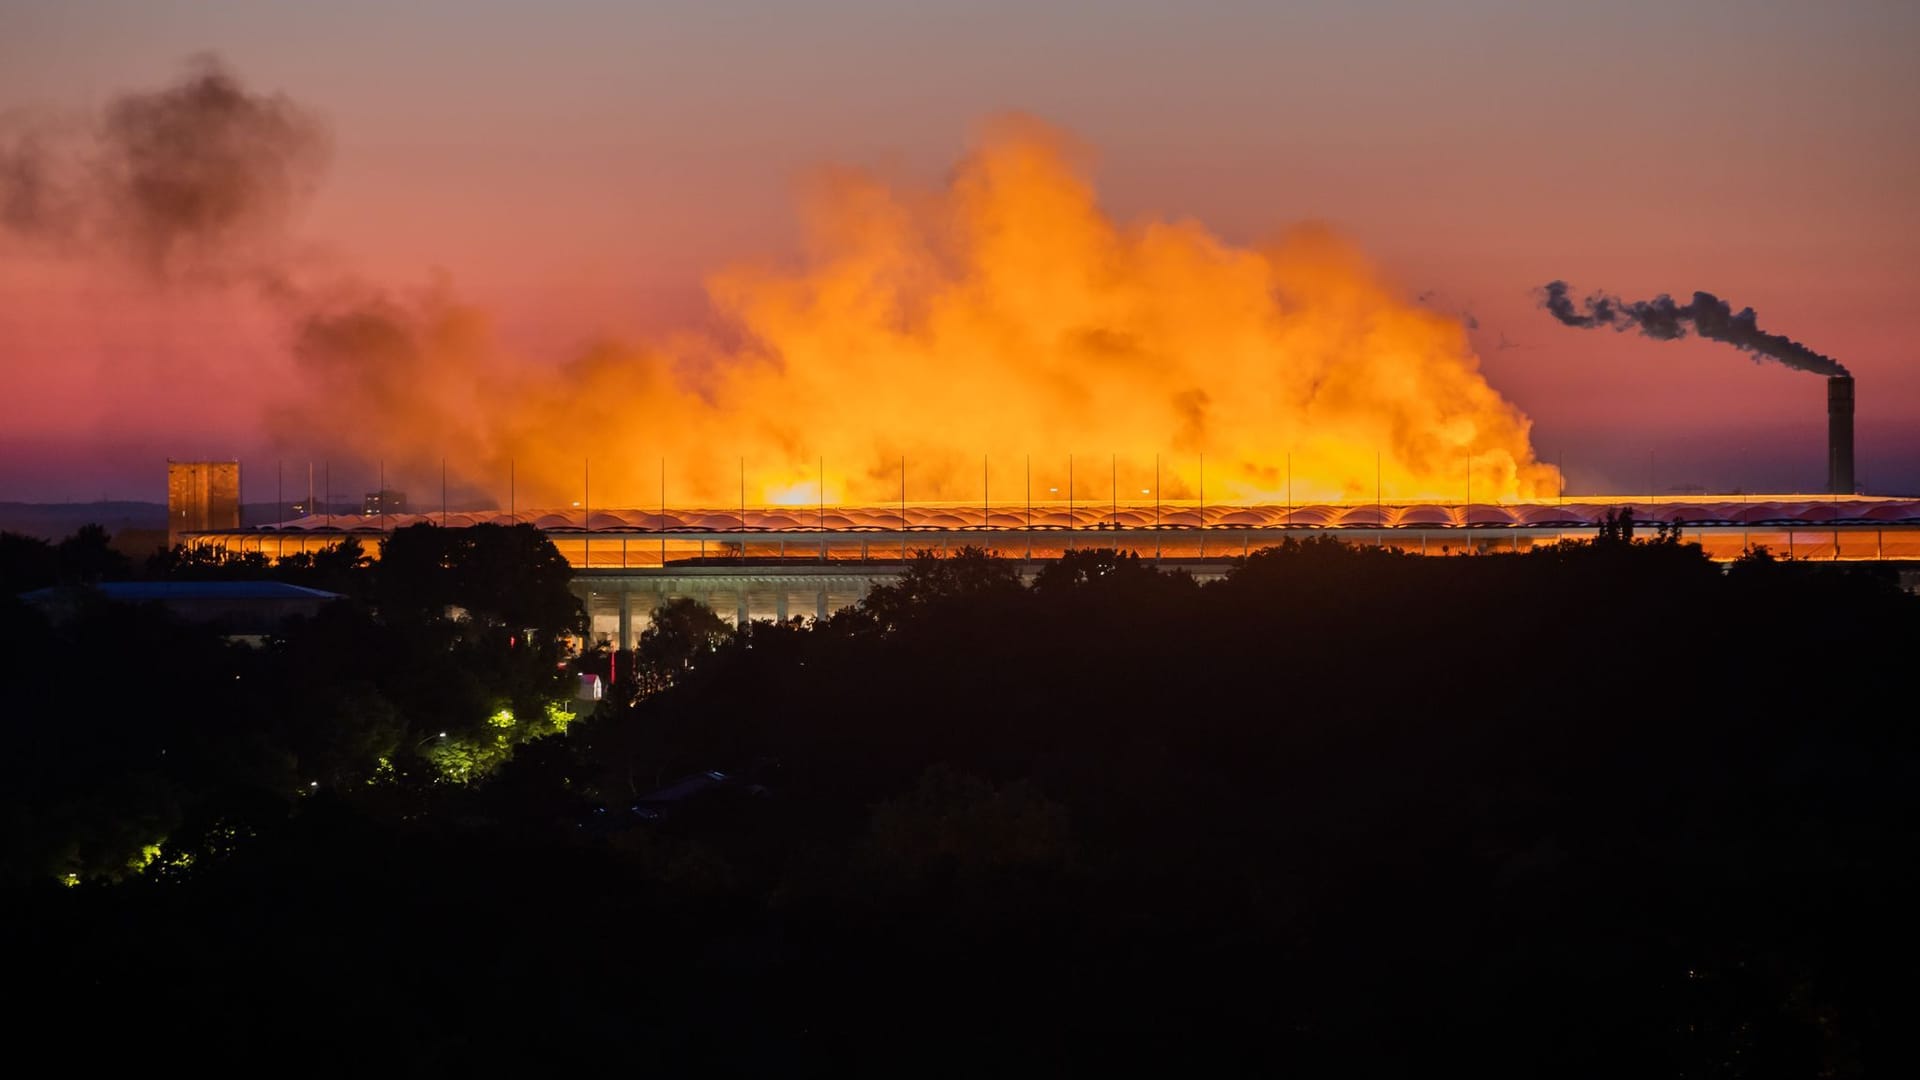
column 997, row 333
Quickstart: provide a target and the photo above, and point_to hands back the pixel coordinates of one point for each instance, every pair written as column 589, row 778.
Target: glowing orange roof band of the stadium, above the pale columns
column 1823, row 528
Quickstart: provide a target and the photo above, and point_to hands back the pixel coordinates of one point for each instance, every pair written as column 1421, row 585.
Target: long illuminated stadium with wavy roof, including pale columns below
column 794, row 562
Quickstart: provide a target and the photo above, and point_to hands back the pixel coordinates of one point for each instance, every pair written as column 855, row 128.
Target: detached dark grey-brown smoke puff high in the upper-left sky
column 191, row 182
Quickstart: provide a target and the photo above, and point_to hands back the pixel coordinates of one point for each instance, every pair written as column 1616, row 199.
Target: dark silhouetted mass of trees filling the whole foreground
column 1595, row 810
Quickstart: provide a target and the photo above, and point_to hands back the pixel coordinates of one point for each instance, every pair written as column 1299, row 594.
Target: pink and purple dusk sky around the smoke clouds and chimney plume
column 581, row 168
